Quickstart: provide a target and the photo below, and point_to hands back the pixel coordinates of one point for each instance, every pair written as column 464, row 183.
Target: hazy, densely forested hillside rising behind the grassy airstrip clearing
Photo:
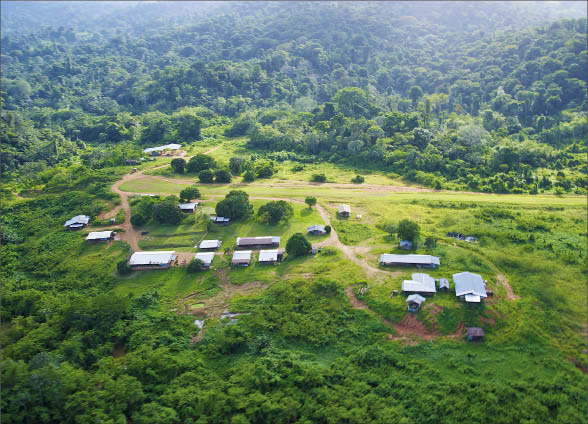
column 469, row 84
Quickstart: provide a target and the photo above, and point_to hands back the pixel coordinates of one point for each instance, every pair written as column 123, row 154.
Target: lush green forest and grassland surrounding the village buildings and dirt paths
column 458, row 97
